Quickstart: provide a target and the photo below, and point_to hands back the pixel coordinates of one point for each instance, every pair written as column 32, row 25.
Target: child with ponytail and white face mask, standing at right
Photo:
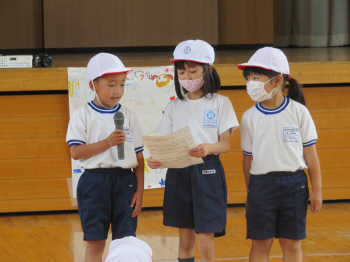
column 278, row 138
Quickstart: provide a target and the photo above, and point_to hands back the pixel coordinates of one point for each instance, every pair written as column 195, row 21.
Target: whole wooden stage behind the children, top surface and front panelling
column 35, row 161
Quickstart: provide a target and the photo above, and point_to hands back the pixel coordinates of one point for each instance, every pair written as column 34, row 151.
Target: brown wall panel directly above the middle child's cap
column 164, row 23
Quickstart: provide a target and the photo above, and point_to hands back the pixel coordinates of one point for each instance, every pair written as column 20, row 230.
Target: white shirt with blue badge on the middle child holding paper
column 207, row 117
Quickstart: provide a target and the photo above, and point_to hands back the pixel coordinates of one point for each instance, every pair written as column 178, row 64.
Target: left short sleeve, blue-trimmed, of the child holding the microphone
column 76, row 133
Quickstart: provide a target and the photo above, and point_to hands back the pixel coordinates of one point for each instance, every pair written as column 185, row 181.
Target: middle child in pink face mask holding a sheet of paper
column 195, row 197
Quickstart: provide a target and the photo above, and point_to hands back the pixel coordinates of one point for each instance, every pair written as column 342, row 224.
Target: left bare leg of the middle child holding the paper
column 187, row 242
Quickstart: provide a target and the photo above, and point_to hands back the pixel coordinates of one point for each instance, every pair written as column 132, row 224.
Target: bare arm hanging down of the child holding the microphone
column 137, row 198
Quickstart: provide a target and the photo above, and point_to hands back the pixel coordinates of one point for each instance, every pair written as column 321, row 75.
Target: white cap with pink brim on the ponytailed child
column 268, row 58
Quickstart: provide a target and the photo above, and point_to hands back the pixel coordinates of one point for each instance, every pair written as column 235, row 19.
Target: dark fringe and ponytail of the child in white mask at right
column 294, row 91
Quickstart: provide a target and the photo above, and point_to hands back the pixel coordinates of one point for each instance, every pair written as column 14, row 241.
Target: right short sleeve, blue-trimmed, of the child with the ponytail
column 307, row 129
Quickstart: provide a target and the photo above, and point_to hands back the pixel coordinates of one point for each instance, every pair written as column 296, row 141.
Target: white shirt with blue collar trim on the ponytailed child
column 276, row 137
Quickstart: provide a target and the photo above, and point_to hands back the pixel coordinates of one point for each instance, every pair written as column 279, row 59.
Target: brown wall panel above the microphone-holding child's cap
column 87, row 23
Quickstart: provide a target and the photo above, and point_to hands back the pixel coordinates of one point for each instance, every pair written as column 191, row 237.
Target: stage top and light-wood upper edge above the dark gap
column 308, row 66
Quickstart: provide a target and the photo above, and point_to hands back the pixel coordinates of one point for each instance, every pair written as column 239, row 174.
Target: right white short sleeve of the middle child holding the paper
column 227, row 116
